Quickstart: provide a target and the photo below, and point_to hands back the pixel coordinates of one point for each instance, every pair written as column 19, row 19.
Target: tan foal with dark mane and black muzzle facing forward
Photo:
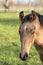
column 31, row 32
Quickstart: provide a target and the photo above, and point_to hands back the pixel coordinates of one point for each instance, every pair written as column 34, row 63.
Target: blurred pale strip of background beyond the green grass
column 27, row 5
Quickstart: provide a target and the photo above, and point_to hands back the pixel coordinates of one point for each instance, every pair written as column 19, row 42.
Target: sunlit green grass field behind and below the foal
column 10, row 42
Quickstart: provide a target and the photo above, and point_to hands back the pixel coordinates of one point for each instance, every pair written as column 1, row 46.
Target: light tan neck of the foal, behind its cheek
column 39, row 34
